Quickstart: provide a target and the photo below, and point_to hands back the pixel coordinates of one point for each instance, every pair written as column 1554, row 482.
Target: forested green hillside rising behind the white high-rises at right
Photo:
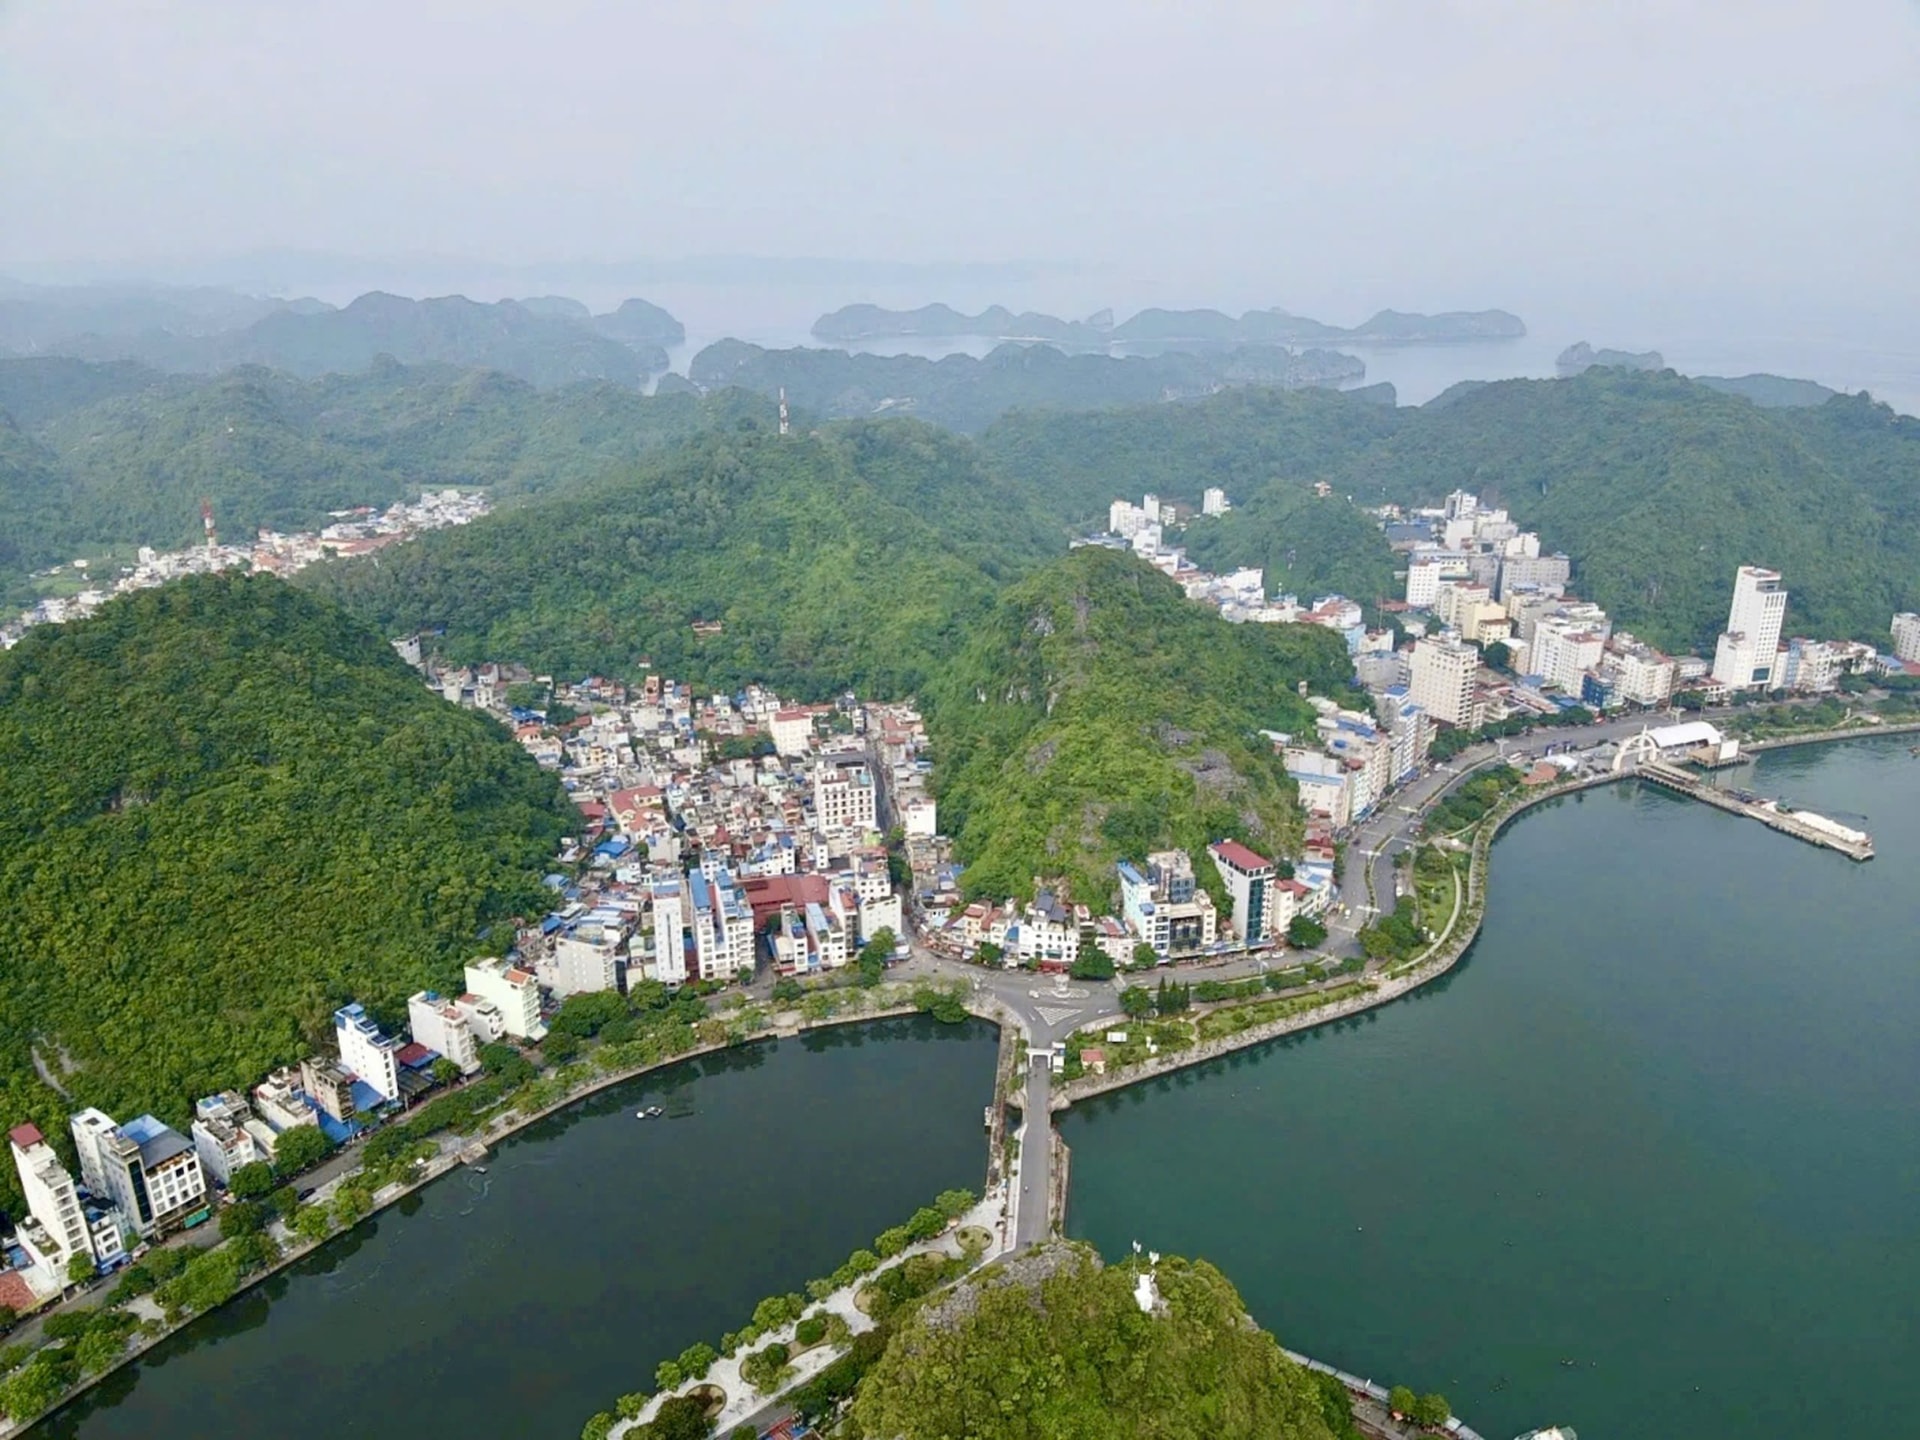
column 1662, row 489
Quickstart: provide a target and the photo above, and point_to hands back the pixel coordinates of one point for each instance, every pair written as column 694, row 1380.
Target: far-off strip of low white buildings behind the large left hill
column 352, row 533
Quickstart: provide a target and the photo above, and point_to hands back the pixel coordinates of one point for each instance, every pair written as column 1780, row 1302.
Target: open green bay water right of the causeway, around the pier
column 1664, row 1124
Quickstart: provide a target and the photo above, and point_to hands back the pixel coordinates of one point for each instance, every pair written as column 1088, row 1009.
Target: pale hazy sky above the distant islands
column 1320, row 155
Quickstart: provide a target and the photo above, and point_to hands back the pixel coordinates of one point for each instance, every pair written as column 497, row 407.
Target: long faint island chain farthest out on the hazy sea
column 1164, row 327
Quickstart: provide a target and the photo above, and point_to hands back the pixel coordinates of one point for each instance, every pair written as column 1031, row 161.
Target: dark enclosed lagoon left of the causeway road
column 521, row 1301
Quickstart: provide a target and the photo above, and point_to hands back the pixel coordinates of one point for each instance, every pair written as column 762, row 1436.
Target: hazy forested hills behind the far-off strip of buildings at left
column 120, row 454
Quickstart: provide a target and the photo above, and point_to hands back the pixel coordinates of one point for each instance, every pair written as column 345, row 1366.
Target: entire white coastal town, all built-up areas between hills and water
column 754, row 840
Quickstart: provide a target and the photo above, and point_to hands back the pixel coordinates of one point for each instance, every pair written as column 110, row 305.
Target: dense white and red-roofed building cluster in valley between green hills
column 713, row 827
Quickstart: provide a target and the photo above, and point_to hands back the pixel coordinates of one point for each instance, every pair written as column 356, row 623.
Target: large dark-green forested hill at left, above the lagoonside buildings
column 226, row 809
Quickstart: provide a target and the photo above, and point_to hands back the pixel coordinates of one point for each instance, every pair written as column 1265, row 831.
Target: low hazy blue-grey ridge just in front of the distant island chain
column 969, row 395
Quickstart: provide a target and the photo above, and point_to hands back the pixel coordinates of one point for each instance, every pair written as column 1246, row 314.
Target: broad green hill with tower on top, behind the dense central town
column 857, row 556
